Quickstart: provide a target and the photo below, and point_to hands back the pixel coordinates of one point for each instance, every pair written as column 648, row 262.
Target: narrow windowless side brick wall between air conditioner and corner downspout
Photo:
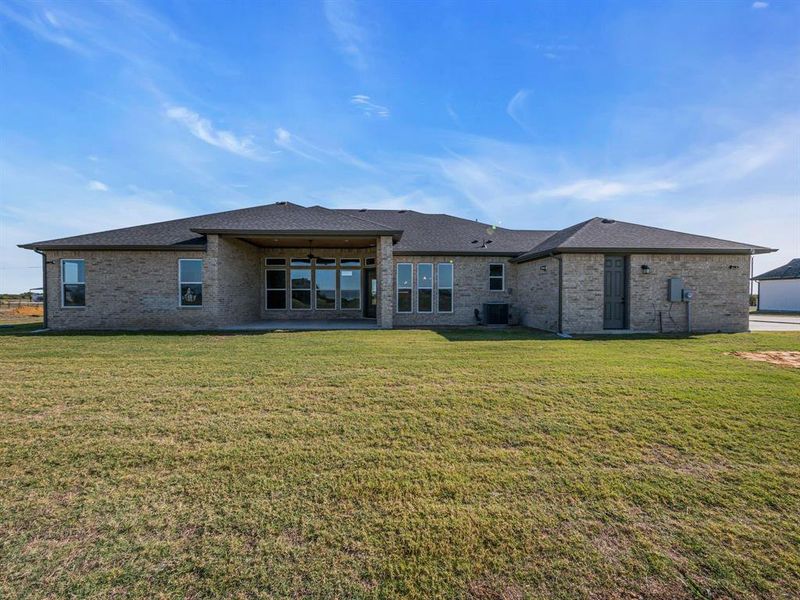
column 537, row 293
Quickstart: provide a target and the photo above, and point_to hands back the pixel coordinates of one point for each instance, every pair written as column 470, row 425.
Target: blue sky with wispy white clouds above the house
column 683, row 115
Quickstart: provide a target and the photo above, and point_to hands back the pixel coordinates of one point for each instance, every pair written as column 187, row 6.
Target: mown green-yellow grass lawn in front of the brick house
column 381, row 464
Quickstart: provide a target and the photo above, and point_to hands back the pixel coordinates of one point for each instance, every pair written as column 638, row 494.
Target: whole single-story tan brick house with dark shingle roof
column 397, row 267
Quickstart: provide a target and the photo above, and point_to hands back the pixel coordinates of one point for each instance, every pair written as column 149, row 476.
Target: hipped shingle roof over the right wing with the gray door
column 608, row 235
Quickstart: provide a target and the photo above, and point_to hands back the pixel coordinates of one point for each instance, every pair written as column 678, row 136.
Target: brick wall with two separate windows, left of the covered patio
column 130, row 290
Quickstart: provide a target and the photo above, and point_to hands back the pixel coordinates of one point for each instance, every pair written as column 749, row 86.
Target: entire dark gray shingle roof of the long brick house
column 413, row 232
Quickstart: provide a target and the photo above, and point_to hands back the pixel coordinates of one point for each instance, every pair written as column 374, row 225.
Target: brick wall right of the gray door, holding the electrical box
column 721, row 294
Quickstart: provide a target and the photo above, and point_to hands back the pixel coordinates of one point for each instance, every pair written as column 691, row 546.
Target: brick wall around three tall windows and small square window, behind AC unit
column 470, row 290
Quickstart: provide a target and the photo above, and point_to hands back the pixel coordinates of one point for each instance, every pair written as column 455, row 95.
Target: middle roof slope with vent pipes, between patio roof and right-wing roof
column 425, row 233
